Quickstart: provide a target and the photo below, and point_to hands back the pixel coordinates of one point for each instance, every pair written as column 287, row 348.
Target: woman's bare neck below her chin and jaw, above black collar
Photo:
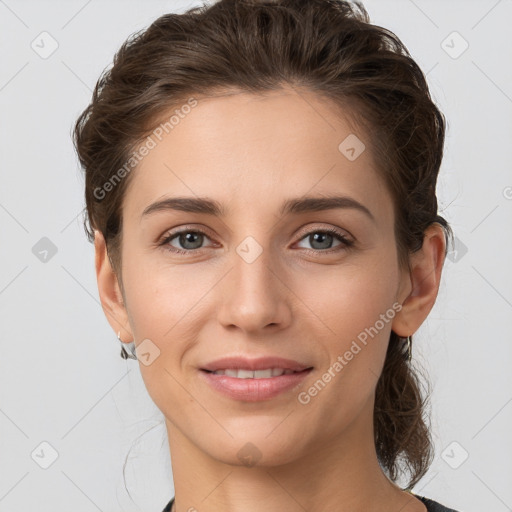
column 340, row 474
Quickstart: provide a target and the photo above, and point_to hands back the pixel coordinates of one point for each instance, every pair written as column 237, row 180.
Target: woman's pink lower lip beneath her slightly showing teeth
column 254, row 390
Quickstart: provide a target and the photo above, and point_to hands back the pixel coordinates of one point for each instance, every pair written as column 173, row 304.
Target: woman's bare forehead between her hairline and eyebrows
column 246, row 149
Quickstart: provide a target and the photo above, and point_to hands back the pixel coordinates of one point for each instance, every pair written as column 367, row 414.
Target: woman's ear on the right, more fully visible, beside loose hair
column 420, row 285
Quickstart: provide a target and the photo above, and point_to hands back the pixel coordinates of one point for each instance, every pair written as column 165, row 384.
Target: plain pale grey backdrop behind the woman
column 71, row 408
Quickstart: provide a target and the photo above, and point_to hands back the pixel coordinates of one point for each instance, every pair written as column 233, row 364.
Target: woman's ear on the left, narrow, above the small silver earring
column 110, row 293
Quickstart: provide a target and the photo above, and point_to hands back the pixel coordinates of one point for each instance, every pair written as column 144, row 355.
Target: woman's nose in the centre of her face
column 254, row 297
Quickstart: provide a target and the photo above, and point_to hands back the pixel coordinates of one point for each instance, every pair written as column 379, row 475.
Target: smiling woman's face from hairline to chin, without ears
column 260, row 282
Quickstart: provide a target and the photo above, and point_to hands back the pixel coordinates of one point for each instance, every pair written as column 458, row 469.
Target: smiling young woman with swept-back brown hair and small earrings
column 260, row 189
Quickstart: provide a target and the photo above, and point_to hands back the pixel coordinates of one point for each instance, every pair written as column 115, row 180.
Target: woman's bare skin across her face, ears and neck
column 251, row 153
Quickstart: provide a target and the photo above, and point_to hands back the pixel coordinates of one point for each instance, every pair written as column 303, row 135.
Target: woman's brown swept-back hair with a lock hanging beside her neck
column 325, row 46
